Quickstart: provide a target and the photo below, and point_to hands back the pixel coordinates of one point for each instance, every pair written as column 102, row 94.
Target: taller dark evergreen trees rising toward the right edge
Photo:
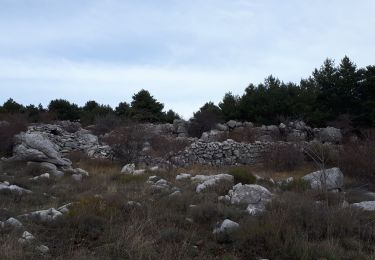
column 332, row 94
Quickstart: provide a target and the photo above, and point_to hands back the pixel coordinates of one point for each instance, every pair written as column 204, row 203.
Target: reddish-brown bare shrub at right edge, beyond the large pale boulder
column 357, row 158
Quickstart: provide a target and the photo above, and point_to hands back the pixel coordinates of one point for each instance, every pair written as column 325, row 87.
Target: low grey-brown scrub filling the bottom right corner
column 296, row 227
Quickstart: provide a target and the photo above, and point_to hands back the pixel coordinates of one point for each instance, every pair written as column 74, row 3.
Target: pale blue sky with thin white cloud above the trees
column 184, row 52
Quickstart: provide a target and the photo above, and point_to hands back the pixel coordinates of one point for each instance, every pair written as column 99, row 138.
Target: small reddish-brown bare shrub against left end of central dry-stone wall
column 163, row 146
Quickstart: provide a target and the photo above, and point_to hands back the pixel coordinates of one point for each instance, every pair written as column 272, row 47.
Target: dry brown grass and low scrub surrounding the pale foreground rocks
column 102, row 225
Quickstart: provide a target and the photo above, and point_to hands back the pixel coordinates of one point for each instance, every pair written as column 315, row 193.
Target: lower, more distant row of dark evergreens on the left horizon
column 143, row 108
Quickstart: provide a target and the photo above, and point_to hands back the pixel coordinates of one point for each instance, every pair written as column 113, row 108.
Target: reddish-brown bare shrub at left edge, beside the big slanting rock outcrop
column 12, row 125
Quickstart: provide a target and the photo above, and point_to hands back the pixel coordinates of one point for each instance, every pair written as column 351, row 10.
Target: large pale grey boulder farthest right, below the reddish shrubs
column 330, row 178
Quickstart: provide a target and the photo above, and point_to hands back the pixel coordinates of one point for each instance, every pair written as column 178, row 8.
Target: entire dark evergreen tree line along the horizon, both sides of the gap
column 333, row 93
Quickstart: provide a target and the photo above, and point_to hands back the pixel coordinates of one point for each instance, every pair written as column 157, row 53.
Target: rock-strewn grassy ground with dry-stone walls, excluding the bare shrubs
column 58, row 205
